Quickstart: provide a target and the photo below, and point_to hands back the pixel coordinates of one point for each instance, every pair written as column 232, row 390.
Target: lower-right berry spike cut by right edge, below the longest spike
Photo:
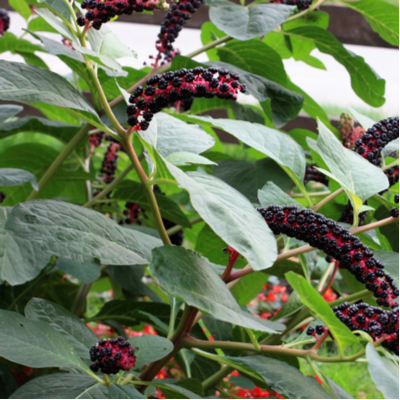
column 372, row 320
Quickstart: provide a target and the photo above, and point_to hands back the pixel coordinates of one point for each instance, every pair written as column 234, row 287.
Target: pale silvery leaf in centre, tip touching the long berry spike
column 230, row 215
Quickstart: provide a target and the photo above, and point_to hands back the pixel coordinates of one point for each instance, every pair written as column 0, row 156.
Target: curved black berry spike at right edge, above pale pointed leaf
column 376, row 138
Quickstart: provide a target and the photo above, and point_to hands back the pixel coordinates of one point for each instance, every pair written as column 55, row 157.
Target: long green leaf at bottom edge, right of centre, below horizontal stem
column 278, row 375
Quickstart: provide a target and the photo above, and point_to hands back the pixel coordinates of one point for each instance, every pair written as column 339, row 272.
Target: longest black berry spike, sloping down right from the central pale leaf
column 337, row 242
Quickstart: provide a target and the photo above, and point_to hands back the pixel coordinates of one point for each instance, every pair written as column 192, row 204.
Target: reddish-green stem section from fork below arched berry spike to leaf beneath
column 148, row 191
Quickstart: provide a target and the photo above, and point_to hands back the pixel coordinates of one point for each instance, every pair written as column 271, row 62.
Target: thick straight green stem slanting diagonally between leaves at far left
column 64, row 154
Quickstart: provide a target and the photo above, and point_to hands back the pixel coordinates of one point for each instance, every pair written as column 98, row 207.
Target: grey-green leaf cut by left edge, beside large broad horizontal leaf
column 19, row 260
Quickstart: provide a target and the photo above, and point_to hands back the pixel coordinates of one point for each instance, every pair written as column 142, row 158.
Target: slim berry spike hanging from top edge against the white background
column 172, row 25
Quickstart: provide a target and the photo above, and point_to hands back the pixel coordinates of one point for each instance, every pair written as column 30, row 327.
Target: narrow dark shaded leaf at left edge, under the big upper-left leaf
column 60, row 130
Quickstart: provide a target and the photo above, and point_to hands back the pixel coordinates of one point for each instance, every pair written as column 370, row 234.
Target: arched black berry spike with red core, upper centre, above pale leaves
column 180, row 85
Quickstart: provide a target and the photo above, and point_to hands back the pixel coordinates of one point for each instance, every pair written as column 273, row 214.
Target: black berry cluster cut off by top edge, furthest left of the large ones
column 100, row 12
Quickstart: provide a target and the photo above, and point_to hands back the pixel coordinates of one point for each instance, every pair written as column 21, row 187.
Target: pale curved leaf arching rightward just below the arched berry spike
column 271, row 142
